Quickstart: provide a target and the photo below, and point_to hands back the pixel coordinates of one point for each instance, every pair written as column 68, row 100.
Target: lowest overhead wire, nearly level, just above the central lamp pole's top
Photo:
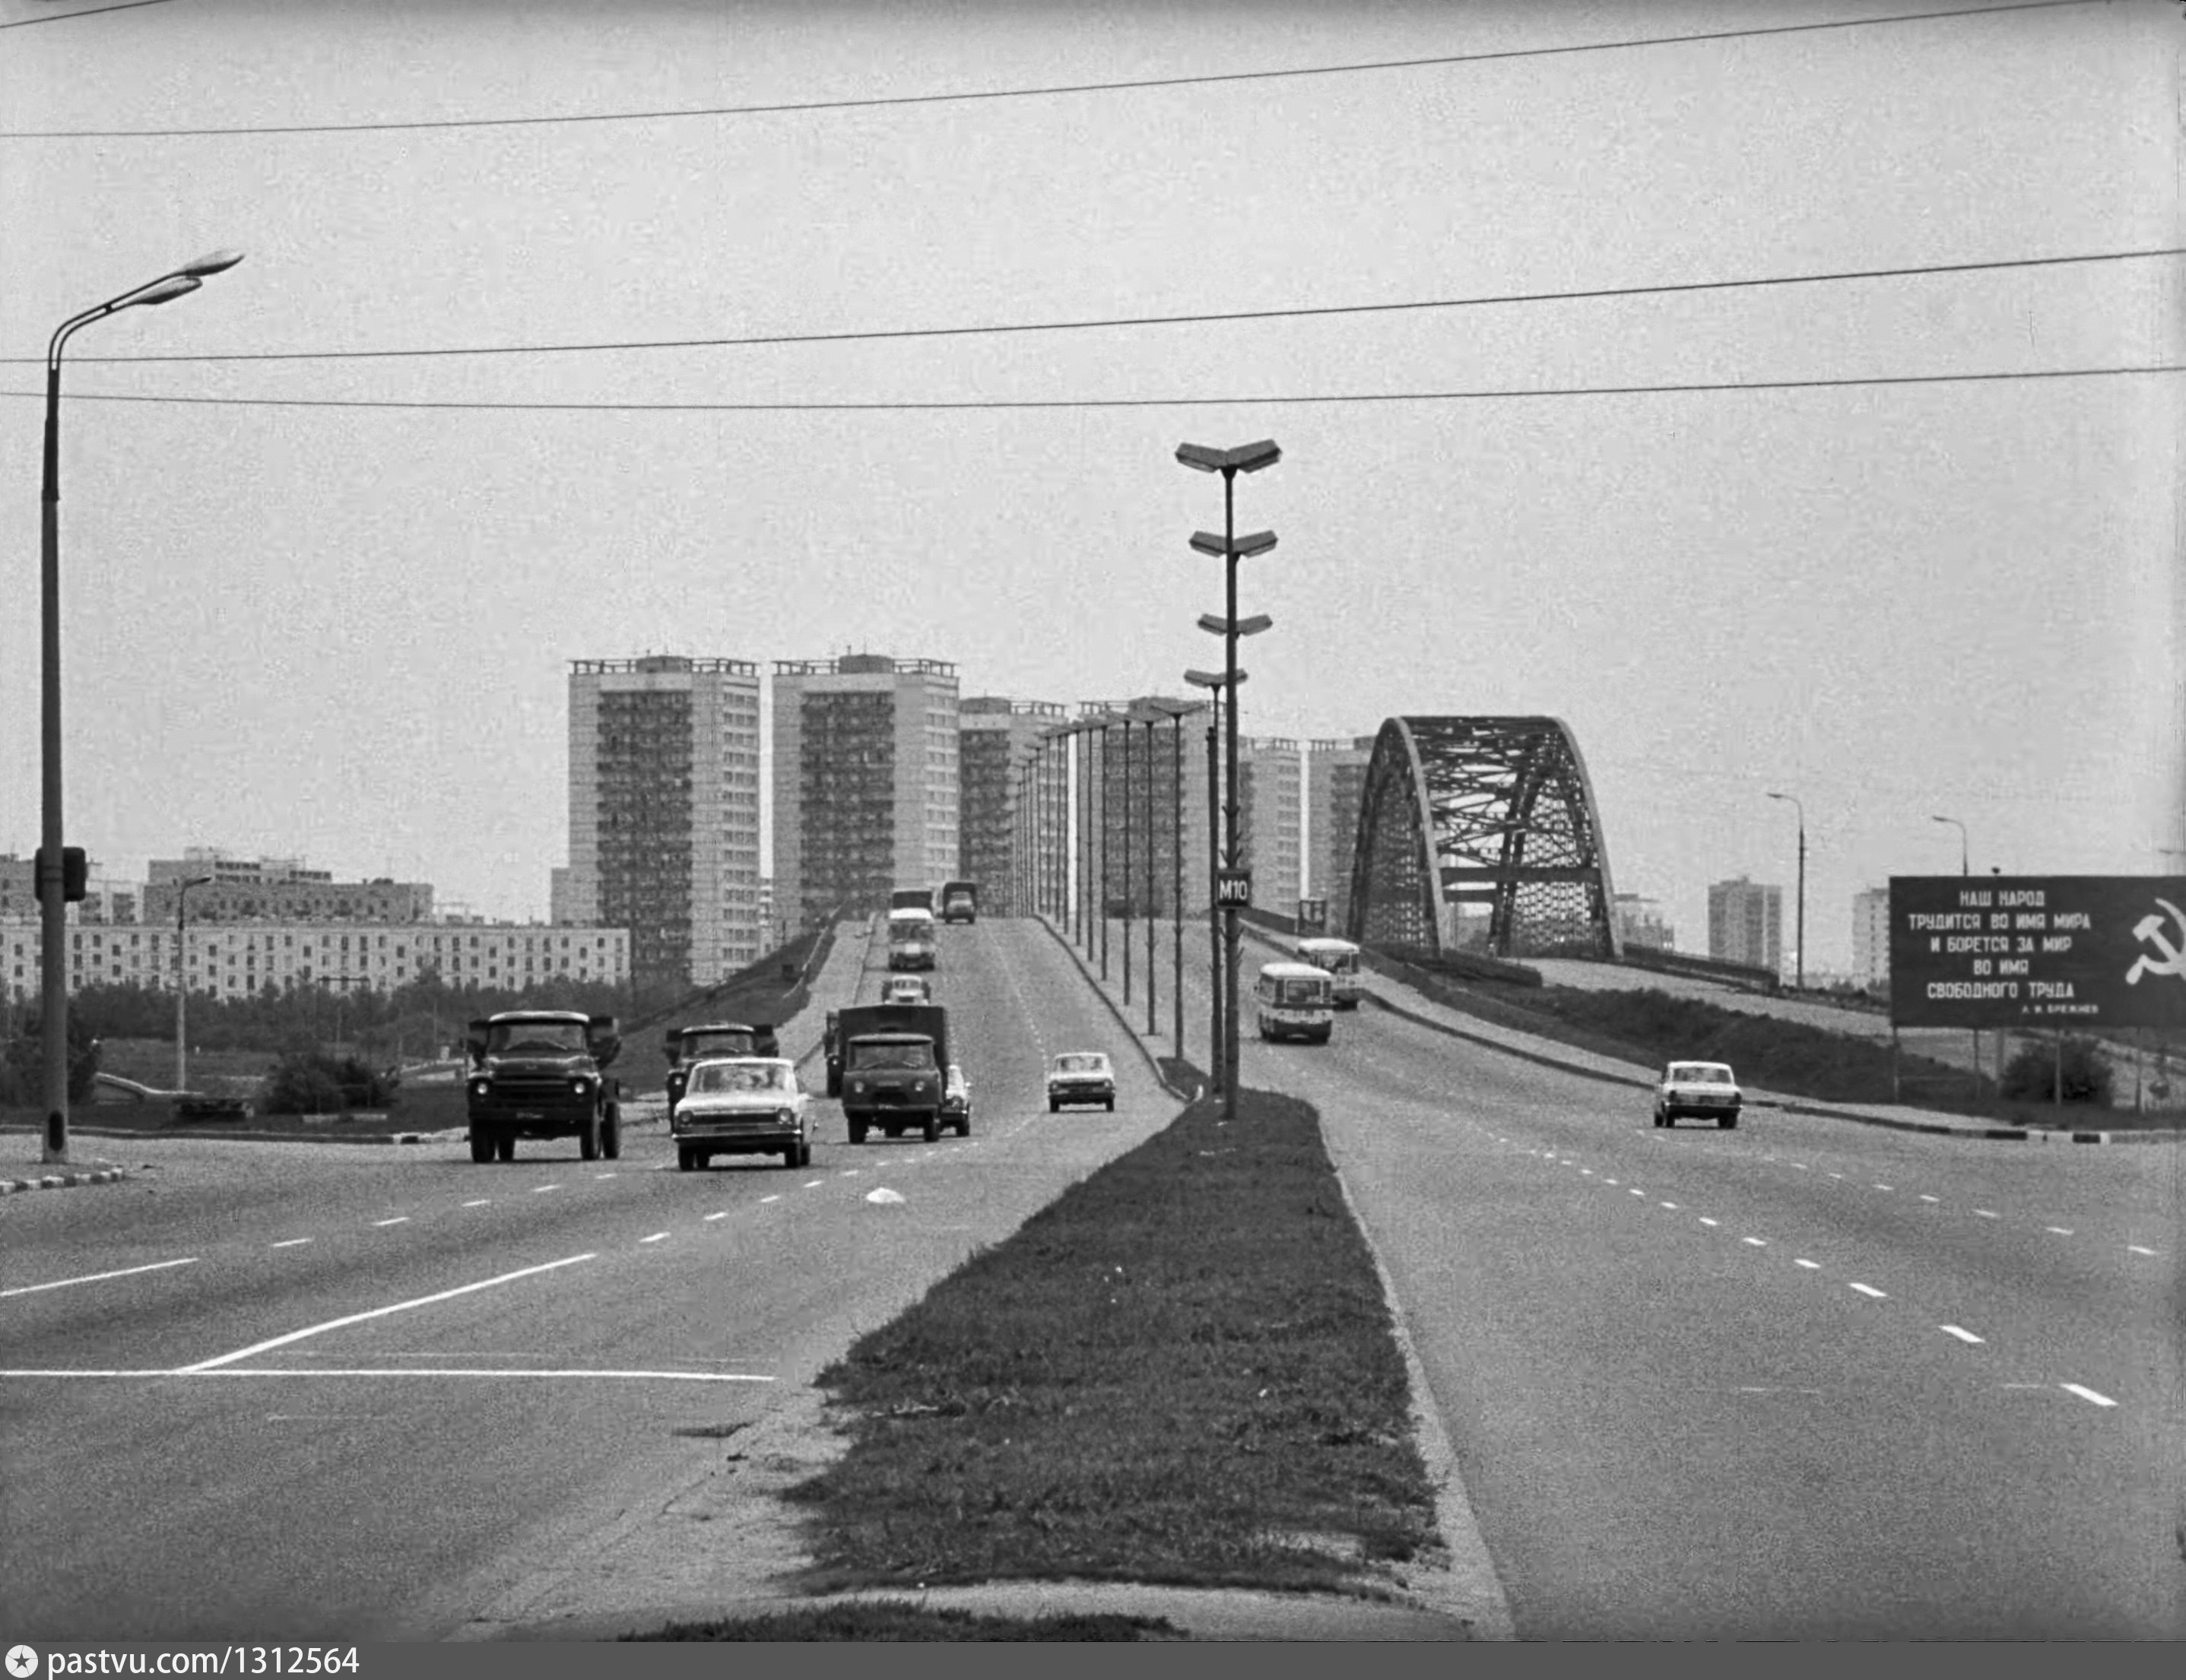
column 1300, row 399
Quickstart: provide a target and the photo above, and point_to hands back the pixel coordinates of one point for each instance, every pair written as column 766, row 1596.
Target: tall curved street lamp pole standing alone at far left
column 54, row 908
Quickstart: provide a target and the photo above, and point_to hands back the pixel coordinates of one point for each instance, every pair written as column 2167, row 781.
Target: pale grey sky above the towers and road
column 1896, row 545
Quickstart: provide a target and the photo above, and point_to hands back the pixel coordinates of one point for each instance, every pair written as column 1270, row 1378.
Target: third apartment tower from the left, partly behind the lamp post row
column 1007, row 818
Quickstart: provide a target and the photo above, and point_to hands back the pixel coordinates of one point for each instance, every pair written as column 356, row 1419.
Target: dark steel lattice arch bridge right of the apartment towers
column 1481, row 809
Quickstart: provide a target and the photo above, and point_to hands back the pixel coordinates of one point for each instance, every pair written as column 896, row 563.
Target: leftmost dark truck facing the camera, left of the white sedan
column 543, row 1074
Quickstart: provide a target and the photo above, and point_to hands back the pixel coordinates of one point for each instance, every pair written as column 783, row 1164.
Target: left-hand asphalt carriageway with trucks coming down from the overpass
column 312, row 1393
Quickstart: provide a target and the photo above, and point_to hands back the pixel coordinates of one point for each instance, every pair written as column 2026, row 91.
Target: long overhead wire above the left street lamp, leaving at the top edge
column 1044, row 93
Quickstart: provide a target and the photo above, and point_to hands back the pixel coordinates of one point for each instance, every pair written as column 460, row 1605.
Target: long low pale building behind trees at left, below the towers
column 235, row 960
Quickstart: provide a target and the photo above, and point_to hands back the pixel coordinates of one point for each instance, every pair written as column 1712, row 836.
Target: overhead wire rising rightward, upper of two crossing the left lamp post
column 1114, row 322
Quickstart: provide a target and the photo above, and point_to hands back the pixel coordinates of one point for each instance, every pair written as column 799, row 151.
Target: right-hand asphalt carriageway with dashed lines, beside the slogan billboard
column 1802, row 1380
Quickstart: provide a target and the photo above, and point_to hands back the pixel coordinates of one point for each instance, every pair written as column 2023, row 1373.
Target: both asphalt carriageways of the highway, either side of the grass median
column 1794, row 1382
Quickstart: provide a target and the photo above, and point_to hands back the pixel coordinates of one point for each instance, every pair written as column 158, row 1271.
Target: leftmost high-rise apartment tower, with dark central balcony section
column 663, row 814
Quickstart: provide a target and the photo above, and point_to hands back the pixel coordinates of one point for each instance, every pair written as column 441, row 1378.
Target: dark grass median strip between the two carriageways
column 1182, row 1373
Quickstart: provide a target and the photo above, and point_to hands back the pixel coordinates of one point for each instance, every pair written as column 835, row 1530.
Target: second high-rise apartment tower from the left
column 867, row 781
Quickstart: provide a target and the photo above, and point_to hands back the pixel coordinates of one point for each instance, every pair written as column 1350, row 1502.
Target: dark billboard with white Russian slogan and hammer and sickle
column 2038, row 951
